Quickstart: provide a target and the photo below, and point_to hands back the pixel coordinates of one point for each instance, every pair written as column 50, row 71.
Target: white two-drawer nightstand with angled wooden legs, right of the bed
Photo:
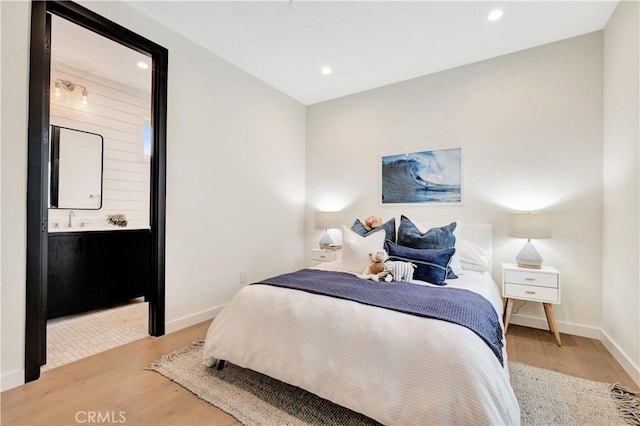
column 537, row 285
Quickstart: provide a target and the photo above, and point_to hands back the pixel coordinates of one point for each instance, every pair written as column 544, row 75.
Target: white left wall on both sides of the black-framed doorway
column 235, row 177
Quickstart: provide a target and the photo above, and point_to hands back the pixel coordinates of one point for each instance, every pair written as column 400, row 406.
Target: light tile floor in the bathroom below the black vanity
column 74, row 337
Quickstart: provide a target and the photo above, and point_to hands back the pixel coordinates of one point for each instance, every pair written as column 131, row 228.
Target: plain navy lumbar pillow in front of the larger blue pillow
column 432, row 264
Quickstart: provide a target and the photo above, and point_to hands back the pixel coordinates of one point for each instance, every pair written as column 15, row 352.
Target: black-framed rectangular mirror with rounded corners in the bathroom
column 75, row 169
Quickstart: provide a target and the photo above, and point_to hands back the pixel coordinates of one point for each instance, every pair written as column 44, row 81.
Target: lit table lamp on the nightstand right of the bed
column 529, row 226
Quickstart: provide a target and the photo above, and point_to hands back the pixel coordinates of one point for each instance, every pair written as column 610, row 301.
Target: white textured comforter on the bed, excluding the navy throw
column 396, row 368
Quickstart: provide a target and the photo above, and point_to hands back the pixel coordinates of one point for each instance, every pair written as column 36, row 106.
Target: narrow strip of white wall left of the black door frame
column 14, row 90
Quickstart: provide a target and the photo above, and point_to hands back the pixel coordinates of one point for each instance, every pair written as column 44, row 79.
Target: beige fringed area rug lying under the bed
column 546, row 397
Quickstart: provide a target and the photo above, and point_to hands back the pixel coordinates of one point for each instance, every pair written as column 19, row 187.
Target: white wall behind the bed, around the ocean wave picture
column 530, row 125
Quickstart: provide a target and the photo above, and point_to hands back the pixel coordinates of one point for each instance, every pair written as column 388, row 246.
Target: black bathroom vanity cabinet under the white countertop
column 95, row 269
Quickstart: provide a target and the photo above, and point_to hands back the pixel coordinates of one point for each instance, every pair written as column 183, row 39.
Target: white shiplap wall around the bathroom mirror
column 118, row 113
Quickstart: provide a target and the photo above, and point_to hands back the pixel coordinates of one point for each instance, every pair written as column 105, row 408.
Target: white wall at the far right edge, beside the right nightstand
column 621, row 239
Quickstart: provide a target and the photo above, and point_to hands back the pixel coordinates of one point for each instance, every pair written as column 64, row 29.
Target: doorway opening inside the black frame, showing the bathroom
column 100, row 107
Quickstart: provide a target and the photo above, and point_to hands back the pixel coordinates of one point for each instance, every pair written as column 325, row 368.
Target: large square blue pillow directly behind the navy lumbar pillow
column 434, row 239
